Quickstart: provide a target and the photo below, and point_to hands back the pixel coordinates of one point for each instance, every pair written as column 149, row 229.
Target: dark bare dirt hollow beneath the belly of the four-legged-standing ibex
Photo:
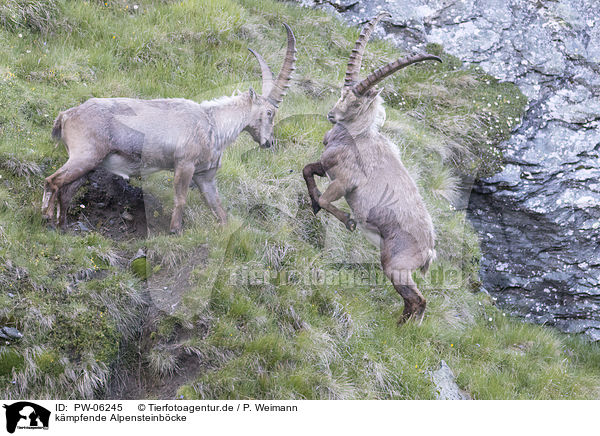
column 114, row 208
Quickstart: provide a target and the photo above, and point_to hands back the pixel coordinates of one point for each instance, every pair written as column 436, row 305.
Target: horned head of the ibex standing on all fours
column 265, row 106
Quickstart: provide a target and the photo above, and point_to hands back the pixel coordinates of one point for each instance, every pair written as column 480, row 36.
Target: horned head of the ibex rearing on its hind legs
column 357, row 100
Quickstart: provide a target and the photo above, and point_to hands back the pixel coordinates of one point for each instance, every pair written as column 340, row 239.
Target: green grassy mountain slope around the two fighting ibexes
column 285, row 336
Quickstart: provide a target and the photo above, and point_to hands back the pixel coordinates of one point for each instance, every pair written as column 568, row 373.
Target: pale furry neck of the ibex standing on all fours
column 231, row 115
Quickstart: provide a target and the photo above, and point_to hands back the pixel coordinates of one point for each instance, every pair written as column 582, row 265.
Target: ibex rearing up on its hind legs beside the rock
column 365, row 168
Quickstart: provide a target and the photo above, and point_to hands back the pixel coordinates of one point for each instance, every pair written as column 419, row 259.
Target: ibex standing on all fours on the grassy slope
column 137, row 137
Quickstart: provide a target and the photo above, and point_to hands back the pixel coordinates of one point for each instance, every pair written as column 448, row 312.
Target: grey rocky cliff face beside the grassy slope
column 539, row 219
